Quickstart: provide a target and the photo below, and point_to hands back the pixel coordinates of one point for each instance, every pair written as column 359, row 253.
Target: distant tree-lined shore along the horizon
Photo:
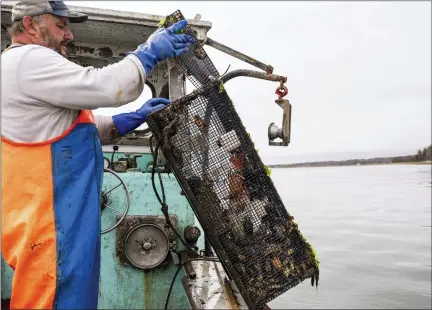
column 422, row 155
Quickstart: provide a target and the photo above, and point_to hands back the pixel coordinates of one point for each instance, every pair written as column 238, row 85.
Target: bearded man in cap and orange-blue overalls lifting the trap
column 52, row 164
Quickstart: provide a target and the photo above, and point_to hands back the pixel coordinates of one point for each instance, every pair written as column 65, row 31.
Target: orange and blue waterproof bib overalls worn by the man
column 51, row 223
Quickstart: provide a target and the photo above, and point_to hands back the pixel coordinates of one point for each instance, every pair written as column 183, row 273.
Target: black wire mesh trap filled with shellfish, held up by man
column 228, row 186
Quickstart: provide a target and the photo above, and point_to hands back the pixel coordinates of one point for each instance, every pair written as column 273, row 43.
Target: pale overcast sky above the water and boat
column 359, row 73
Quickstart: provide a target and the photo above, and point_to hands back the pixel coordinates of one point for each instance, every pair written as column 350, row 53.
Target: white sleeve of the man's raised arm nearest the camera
column 51, row 79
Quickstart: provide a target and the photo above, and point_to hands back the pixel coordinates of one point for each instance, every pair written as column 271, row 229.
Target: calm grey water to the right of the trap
column 370, row 226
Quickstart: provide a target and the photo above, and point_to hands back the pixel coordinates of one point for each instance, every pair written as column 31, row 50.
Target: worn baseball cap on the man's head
column 33, row 8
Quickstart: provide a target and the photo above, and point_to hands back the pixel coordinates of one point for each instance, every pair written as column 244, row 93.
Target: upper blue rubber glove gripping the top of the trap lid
column 164, row 43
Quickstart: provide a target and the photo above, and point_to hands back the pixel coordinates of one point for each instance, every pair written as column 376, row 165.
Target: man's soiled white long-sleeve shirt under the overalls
column 42, row 92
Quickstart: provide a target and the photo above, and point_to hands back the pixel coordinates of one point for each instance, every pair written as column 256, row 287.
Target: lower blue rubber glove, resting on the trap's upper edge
column 126, row 122
